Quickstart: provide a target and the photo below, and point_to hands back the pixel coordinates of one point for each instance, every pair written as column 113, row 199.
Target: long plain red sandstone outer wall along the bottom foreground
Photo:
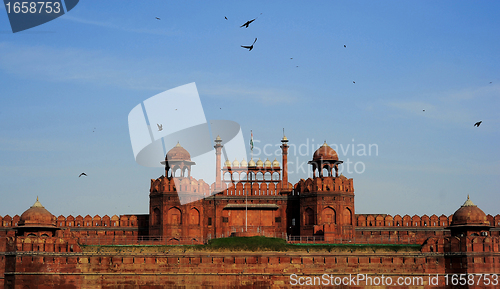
column 130, row 268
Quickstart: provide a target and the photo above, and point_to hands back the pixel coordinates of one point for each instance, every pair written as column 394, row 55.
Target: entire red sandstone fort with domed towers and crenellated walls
column 39, row 250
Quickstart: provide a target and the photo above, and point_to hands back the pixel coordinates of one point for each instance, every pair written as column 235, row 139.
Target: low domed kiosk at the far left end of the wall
column 37, row 221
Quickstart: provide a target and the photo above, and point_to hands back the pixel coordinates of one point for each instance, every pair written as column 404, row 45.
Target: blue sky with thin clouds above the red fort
column 90, row 67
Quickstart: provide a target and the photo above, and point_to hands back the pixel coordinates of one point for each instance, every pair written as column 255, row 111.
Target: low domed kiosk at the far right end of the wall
column 469, row 220
